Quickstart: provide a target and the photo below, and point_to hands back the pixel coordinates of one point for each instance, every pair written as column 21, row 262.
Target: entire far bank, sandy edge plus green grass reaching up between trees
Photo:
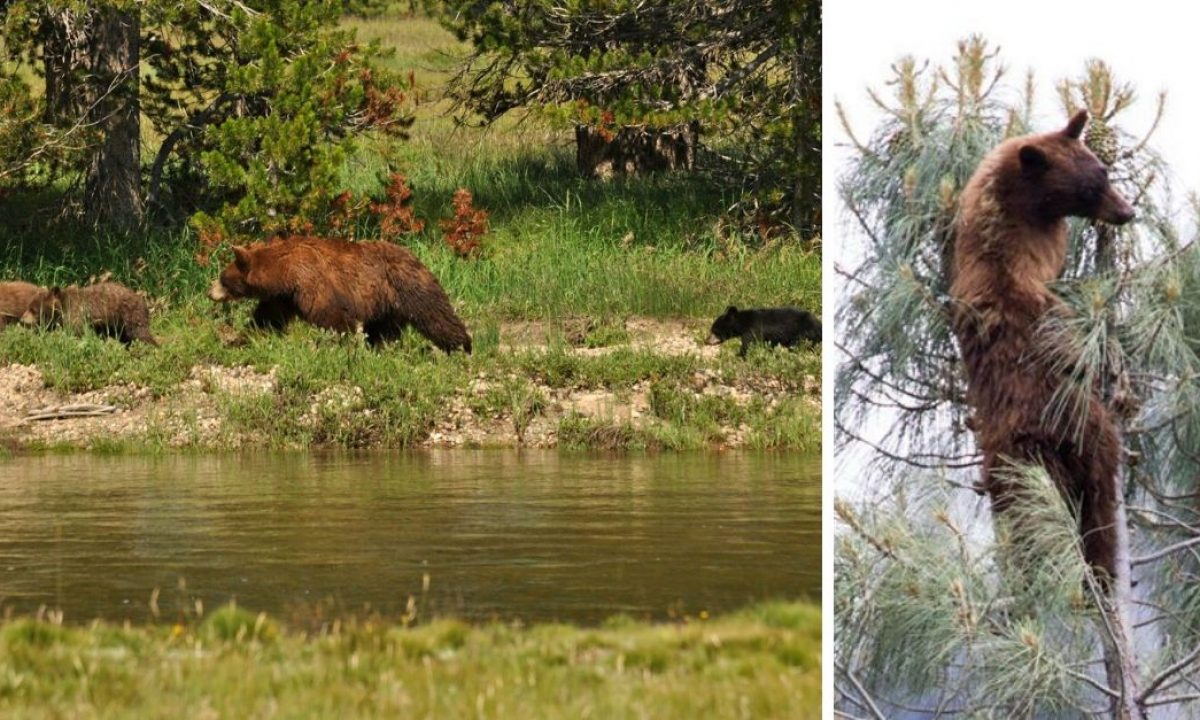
column 587, row 308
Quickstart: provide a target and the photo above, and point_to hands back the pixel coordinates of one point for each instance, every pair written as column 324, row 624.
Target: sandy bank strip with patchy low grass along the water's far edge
column 315, row 389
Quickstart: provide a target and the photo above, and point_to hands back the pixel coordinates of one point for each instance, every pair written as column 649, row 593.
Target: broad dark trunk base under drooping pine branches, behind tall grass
column 634, row 151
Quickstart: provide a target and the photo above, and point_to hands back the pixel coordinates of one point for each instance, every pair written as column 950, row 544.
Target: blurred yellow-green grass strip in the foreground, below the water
column 761, row 663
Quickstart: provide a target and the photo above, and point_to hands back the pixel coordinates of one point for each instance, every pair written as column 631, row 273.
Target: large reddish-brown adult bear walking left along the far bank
column 376, row 287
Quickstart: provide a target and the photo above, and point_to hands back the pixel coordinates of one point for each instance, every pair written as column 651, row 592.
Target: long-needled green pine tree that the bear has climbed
column 937, row 609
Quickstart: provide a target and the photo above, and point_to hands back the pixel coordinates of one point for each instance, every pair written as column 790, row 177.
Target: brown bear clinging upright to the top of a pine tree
column 1012, row 242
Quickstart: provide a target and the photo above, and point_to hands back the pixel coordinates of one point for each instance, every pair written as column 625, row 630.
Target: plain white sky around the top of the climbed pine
column 1150, row 44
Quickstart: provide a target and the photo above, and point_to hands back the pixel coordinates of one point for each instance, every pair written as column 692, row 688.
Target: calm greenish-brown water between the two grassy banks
column 503, row 535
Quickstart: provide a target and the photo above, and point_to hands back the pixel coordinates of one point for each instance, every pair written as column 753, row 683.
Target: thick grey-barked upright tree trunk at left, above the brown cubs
column 113, row 195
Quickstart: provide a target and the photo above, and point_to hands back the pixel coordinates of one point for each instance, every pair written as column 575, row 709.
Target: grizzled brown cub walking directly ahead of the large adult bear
column 107, row 308
